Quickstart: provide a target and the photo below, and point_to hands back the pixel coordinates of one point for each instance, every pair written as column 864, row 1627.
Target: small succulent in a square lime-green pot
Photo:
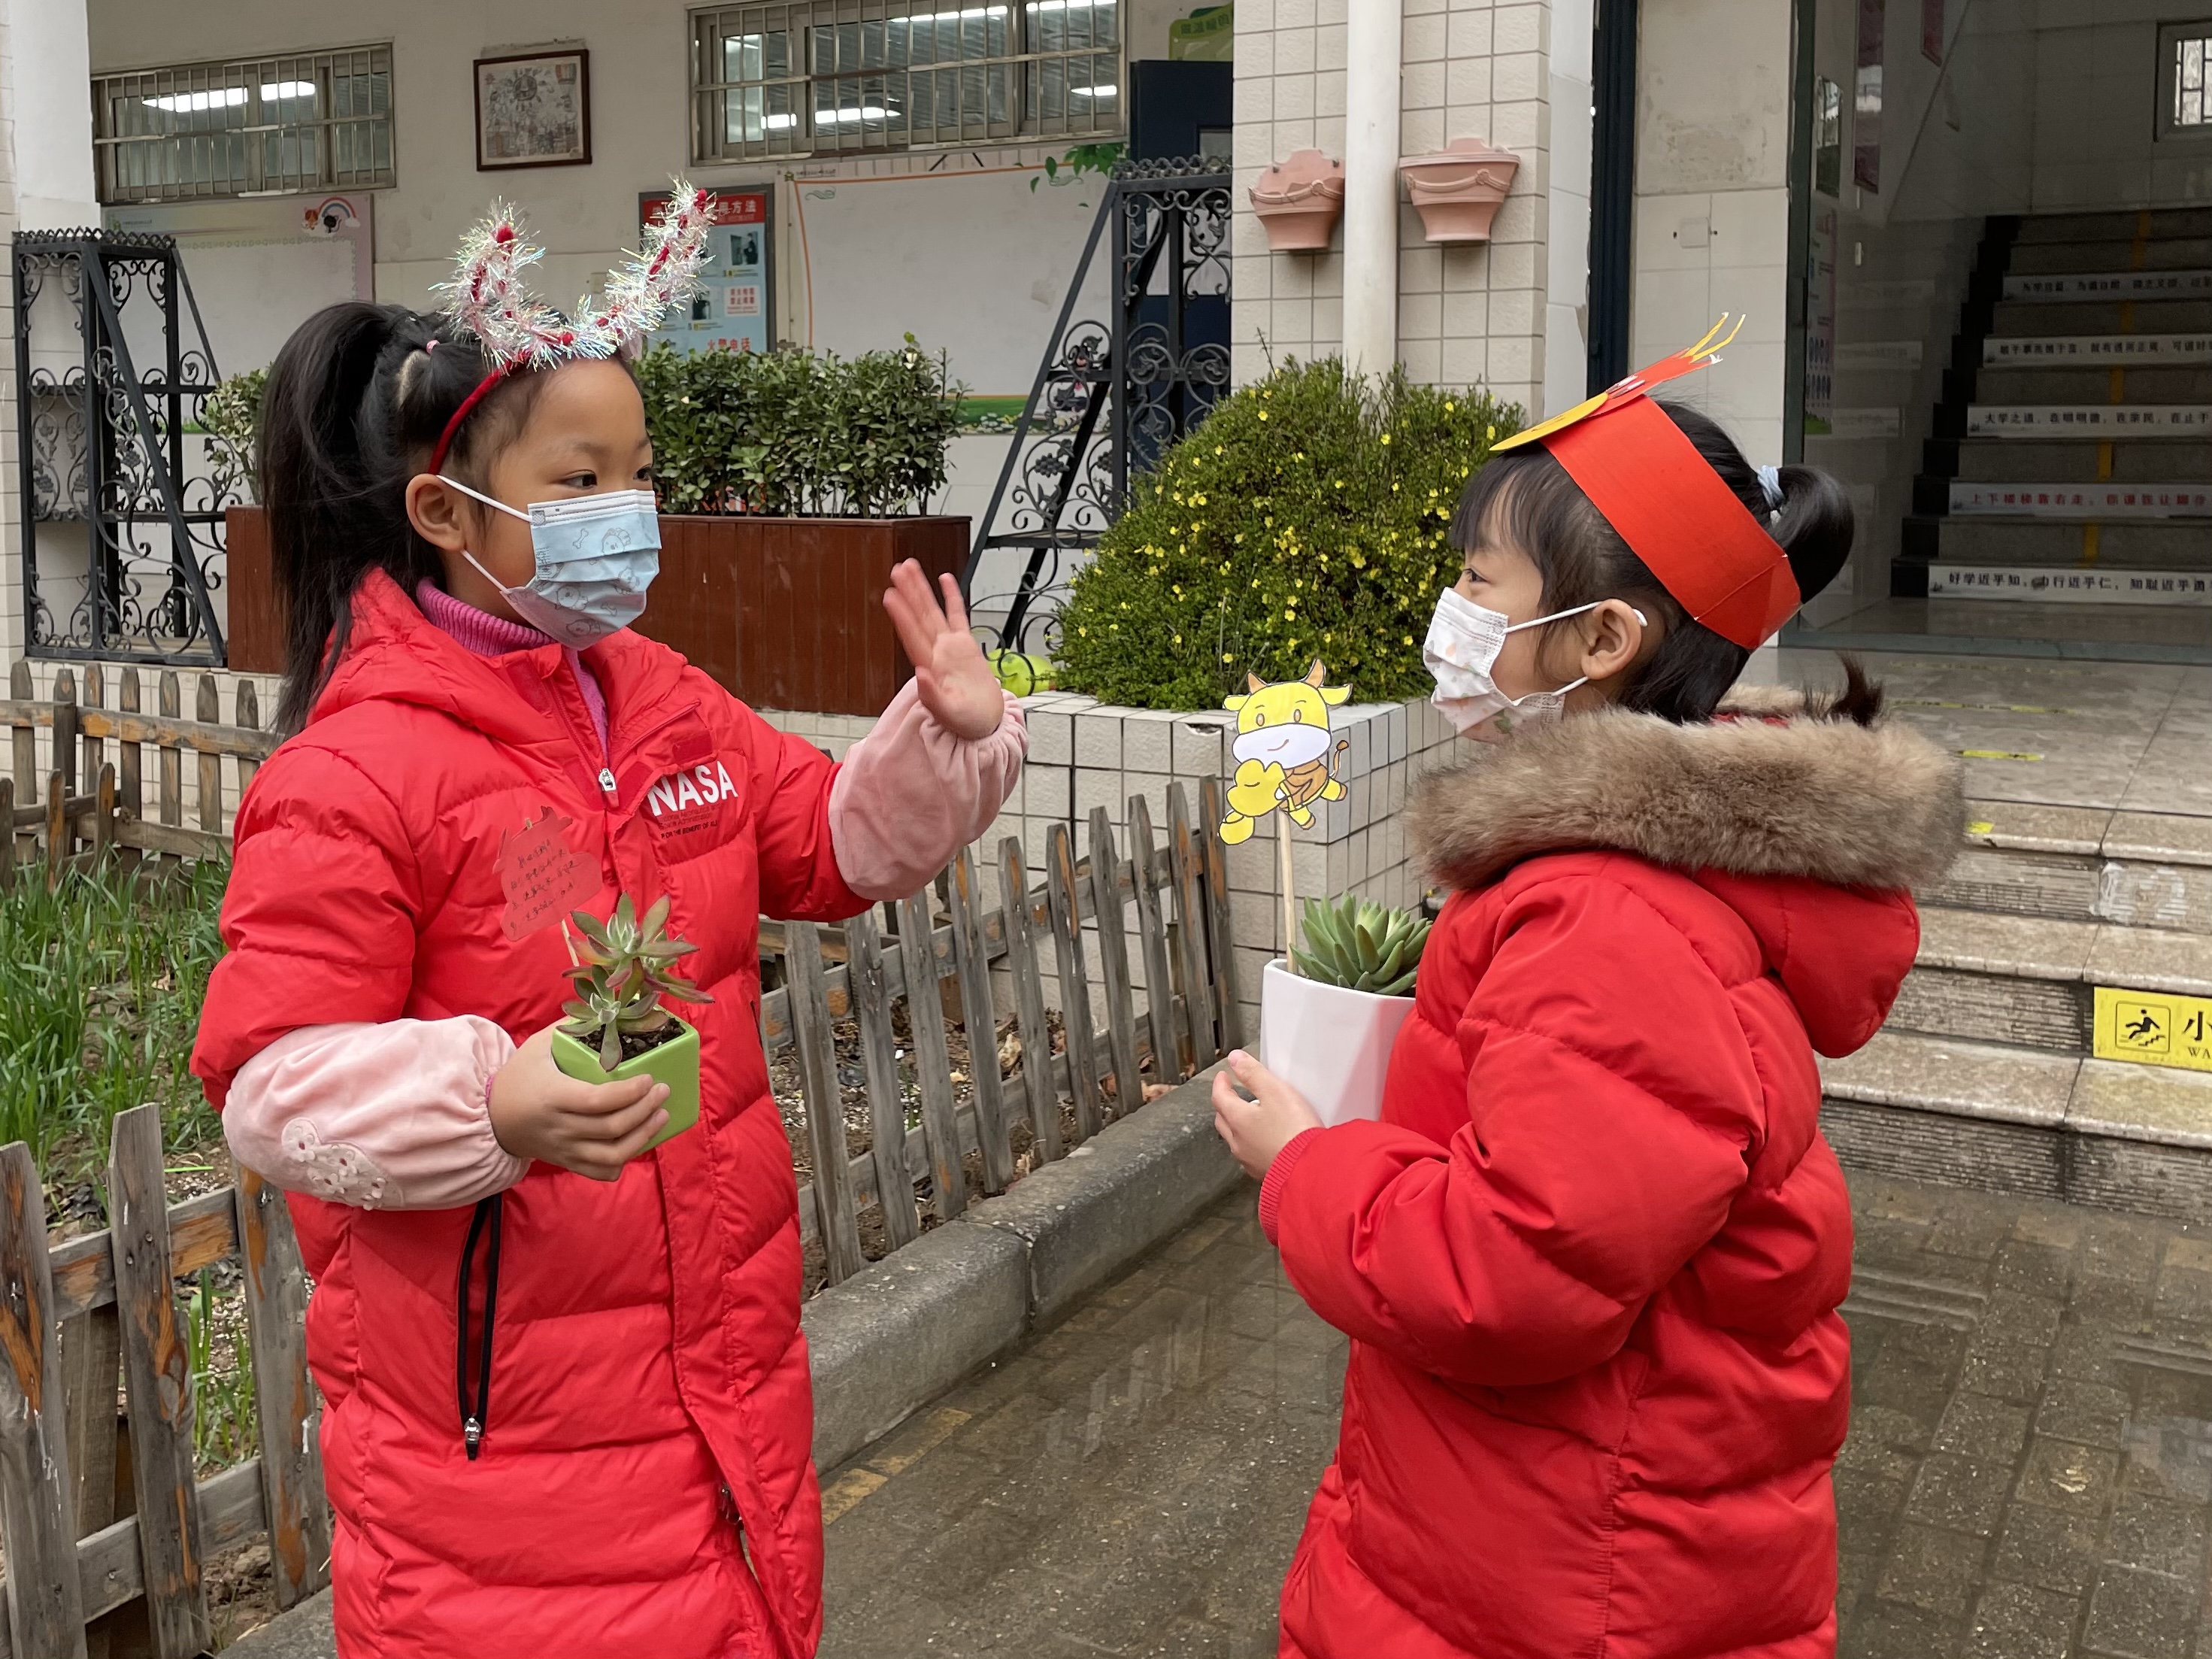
column 616, row 1021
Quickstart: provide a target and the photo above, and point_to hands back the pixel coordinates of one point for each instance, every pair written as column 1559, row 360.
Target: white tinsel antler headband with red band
column 523, row 333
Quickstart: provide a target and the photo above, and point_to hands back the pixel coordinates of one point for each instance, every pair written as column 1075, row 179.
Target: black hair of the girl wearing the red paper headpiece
column 1527, row 499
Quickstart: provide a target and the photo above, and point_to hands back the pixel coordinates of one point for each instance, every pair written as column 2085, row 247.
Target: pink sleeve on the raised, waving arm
column 910, row 795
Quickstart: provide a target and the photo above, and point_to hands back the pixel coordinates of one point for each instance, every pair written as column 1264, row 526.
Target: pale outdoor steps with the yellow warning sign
column 1987, row 1074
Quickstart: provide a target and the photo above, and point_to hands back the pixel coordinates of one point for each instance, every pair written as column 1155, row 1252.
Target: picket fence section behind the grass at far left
column 92, row 804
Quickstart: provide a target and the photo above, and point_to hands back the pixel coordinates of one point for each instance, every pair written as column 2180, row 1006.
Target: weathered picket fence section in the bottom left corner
column 105, row 1306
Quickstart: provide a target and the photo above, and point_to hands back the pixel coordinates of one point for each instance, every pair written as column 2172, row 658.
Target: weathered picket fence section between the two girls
column 1191, row 1016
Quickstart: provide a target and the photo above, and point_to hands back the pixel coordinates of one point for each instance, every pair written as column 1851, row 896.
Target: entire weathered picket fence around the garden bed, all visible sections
column 105, row 1565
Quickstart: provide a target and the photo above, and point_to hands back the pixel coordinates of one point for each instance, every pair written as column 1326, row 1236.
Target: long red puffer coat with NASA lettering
column 645, row 1481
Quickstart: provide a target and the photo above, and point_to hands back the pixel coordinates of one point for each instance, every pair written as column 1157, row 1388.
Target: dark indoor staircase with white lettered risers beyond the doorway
column 2072, row 455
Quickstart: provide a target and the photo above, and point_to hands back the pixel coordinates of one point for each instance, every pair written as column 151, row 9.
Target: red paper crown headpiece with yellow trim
column 1667, row 501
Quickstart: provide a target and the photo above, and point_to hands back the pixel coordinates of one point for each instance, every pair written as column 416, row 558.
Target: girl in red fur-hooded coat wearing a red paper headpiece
column 1592, row 1253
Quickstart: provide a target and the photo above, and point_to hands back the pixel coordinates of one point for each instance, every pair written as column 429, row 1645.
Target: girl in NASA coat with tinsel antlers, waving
column 463, row 523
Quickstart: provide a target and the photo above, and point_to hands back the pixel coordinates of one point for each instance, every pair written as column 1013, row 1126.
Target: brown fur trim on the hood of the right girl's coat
column 1768, row 793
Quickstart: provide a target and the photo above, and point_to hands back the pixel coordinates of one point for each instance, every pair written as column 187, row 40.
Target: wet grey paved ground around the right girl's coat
column 2030, row 1472
